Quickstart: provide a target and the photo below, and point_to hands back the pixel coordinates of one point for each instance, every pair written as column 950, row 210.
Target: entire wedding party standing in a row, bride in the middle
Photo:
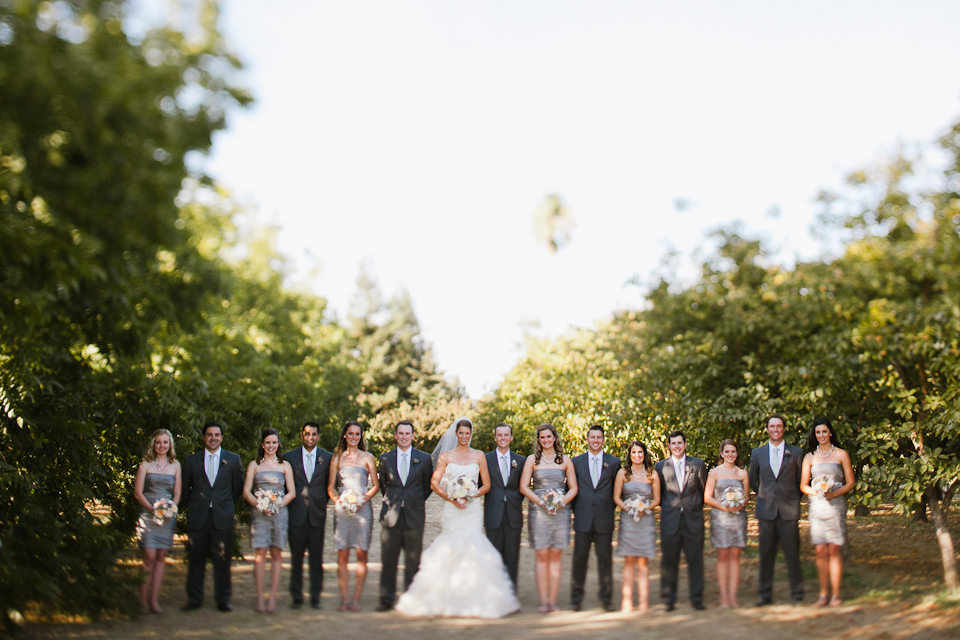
column 471, row 568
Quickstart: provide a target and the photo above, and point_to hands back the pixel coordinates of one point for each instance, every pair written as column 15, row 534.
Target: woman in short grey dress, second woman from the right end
column 728, row 524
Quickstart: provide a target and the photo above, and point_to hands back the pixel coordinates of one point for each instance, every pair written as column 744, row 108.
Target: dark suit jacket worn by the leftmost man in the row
column 198, row 495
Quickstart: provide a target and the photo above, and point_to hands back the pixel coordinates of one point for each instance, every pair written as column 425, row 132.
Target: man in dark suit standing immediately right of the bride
column 503, row 504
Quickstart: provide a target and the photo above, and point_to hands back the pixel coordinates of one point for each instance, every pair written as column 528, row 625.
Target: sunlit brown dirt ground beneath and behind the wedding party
column 892, row 563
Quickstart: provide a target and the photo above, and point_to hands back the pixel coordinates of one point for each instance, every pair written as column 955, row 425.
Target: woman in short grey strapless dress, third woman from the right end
column 636, row 540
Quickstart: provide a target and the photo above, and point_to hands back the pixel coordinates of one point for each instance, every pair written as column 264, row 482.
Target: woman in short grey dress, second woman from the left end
column 268, row 531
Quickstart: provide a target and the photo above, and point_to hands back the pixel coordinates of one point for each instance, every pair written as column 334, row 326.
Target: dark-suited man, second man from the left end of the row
column 308, row 513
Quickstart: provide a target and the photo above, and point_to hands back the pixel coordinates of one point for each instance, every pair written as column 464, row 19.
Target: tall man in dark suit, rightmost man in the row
column 775, row 473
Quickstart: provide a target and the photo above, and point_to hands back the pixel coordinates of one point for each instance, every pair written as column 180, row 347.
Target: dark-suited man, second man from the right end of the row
column 682, row 482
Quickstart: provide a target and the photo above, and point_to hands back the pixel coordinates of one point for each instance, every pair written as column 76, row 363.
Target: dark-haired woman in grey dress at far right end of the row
column 830, row 465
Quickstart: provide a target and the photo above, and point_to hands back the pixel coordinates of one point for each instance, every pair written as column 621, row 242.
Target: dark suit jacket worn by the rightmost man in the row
column 777, row 495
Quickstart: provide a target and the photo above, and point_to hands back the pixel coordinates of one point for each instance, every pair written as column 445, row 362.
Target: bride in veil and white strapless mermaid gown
column 461, row 574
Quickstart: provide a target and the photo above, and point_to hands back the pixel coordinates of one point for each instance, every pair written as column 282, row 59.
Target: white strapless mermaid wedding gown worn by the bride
column 461, row 574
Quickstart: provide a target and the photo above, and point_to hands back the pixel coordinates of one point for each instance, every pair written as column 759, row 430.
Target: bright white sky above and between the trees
column 419, row 137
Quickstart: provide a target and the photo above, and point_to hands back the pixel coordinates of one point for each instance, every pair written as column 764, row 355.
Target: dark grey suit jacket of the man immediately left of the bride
column 403, row 503
